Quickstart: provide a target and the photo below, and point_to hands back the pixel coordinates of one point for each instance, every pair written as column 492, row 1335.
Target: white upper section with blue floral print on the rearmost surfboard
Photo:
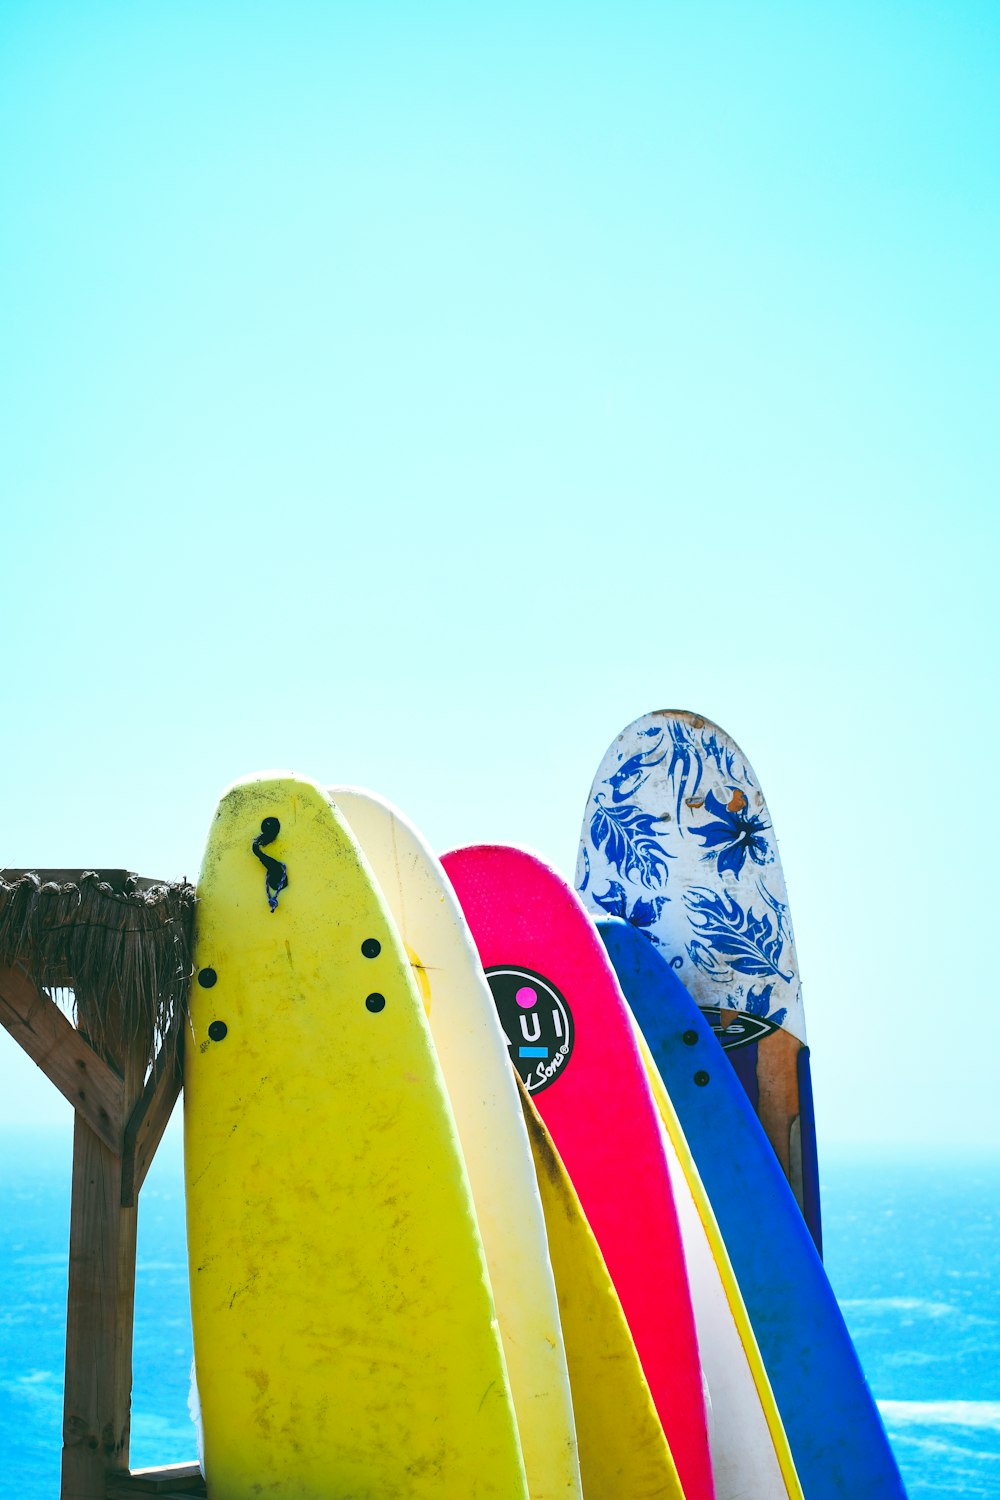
column 678, row 841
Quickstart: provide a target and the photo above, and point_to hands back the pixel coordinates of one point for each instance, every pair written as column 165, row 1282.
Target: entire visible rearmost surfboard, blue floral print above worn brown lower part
column 678, row 841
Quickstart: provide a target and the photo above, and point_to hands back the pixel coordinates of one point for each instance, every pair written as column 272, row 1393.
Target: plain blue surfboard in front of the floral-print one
column 831, row 1420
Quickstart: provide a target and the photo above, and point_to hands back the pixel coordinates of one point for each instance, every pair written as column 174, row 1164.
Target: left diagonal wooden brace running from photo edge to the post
column 52, row 1042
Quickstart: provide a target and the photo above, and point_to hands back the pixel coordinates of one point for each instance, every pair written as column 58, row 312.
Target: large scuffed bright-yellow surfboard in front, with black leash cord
column 346, row 1337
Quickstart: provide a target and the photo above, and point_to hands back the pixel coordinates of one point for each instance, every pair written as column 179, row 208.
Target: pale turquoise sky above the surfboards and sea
column 412, row 397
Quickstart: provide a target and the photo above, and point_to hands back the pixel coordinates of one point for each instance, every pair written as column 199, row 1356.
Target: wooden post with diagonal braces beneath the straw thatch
column 119, row 1124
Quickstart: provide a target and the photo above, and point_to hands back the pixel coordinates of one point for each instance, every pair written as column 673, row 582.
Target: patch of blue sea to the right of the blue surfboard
column 912, row 1250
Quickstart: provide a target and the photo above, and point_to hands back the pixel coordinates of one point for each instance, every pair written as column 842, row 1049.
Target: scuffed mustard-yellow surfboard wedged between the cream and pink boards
column 623, row 1450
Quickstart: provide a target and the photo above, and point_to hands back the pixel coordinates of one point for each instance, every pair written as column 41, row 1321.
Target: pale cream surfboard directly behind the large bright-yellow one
column 482, row 1087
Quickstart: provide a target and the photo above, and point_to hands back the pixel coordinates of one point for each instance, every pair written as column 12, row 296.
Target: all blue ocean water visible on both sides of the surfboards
column 911, row 1247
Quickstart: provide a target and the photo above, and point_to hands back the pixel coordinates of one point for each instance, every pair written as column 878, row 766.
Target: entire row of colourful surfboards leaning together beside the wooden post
column 503, row 1190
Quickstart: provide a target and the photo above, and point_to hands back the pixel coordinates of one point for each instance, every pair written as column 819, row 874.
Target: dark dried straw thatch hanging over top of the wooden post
column 125, row 950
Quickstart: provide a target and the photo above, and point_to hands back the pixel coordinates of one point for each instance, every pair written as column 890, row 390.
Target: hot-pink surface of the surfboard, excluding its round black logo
column 572, row 1042
